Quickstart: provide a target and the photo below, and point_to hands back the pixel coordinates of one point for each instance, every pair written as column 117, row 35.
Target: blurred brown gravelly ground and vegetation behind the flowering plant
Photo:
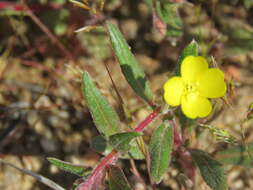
column 42, row 110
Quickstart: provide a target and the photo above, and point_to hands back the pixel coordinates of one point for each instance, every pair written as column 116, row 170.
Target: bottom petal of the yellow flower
column 194, row 106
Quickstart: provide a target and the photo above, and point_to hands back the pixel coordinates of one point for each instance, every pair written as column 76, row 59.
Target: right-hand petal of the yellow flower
column 212, row 84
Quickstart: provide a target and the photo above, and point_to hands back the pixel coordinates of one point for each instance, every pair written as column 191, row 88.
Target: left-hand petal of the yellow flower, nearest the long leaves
column 173, row 90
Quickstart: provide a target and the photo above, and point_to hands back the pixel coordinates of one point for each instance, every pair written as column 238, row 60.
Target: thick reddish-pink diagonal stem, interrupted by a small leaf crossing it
column 112, row 157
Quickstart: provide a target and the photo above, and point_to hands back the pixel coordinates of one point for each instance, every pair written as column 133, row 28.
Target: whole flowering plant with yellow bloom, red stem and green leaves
column 193, row 86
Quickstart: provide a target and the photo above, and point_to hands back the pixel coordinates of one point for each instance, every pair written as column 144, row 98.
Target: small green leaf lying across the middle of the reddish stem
column 121, row 141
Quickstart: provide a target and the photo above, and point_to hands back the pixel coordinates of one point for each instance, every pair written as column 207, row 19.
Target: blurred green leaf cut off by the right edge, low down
column 236, row 155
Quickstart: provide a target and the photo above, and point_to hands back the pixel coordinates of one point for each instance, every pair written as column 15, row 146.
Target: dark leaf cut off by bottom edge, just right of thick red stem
column 117, row 179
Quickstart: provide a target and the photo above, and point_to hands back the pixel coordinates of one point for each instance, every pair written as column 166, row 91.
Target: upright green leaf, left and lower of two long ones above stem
column 104, row 116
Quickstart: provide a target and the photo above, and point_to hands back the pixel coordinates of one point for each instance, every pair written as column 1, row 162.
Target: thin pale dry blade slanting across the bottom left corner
column 38, row 177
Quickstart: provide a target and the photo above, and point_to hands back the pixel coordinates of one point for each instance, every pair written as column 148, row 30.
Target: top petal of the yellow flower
column 193, row 67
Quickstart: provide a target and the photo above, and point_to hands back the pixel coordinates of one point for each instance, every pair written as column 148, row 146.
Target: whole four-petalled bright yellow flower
column 196, row 85
